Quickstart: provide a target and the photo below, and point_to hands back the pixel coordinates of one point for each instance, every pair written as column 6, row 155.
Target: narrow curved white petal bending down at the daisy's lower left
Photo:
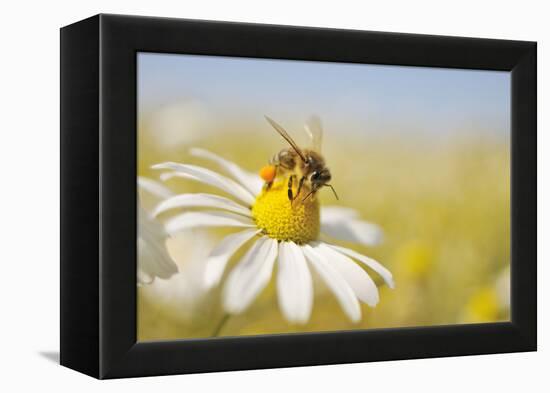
column 220, row 255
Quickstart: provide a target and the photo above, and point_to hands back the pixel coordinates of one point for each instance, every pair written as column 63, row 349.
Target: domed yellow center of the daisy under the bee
column 280, row 219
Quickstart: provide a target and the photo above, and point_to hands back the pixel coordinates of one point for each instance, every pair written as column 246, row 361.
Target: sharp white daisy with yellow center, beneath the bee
column 276, row 232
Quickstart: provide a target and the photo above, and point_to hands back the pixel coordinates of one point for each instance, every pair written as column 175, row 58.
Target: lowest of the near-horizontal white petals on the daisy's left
column 191, row 220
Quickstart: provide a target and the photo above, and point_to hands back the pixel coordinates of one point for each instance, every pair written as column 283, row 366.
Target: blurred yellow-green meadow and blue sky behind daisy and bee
column 423, row 153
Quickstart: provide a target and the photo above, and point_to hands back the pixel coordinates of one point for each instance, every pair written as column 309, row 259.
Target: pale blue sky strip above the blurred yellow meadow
column 437, row 100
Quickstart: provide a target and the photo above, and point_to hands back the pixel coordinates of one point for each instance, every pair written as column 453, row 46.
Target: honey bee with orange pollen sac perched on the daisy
column 309, row 164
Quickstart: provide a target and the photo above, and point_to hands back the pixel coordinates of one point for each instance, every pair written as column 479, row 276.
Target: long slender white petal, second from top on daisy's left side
column 211, row 178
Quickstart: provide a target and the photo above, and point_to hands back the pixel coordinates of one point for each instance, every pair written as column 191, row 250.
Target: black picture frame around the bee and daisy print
column 98, row 195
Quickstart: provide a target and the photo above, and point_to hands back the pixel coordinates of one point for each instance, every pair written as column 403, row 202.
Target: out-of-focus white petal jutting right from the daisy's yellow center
column 341, row 224
